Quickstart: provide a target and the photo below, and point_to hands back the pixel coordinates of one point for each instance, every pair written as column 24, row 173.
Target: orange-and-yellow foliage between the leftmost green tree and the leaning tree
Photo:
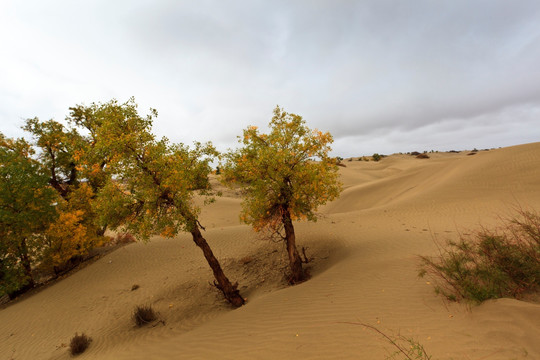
column 76, row 172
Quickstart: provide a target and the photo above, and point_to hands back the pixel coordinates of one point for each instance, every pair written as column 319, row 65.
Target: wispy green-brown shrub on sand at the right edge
column 490, row 264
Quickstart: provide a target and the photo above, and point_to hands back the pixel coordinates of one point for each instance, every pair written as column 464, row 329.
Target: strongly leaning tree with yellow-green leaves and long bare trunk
column 153, row 183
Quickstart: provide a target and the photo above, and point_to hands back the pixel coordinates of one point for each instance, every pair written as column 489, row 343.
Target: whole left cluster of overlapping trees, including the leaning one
column 105, row 170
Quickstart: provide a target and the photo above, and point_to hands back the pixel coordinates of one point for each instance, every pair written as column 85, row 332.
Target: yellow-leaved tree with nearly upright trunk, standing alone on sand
column 286, row 175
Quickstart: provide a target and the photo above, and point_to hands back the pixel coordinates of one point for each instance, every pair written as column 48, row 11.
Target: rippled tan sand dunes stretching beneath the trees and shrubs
column 364, row 270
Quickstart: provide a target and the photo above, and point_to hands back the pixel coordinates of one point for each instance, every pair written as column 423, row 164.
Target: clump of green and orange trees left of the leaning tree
column 48, row 193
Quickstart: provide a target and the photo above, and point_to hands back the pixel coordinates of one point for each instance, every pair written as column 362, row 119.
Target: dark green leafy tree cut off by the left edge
column 26, row 209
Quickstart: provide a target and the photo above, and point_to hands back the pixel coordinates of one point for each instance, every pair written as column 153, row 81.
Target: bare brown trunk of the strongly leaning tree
column 229, row 290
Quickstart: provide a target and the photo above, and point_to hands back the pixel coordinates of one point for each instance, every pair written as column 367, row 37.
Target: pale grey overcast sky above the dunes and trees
column 381, row 76
